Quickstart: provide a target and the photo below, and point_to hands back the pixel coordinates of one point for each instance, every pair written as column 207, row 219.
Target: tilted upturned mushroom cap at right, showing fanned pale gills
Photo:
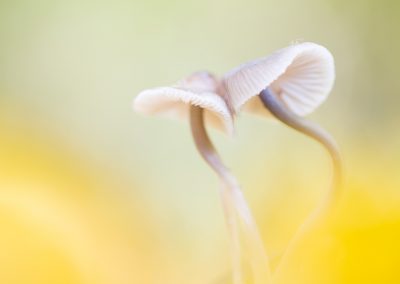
column 301, row 75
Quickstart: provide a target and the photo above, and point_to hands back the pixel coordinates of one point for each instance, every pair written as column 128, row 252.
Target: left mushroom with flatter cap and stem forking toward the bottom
column 199, row 97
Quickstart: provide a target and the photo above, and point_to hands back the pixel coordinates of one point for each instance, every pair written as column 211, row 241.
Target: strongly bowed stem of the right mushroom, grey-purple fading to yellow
column 280, row 111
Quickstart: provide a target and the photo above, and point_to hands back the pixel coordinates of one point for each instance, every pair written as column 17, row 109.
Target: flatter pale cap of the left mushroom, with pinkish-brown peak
column 199, row 89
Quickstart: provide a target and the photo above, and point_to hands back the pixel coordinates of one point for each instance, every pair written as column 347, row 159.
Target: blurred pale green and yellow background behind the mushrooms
column 91, row 192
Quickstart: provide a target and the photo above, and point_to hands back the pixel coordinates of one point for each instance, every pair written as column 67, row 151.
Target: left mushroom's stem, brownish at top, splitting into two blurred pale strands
column 234, row 205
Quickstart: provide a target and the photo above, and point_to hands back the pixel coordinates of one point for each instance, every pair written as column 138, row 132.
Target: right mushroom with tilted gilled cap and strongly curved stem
column 289, row 84
